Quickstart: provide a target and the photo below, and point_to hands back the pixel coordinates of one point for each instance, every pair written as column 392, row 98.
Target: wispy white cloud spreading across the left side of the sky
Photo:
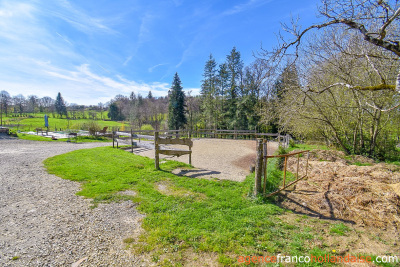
column 41, row 60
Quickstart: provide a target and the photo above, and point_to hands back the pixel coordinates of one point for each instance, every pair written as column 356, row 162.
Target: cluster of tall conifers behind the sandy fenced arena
column 231, row 93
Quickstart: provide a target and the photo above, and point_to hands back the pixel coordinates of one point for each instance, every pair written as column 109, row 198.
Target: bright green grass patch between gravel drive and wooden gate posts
column 186, row 217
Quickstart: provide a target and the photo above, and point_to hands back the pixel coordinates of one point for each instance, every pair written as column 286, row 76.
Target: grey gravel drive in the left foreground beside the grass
column 43, row 222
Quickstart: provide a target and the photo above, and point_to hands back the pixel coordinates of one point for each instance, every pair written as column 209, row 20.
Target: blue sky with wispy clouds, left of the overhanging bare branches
column 92, row 50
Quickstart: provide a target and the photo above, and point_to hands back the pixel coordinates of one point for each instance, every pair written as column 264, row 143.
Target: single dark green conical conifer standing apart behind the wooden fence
column 176, row 107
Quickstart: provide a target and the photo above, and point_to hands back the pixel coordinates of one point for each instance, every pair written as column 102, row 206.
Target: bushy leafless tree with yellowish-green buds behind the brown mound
column 327, row 101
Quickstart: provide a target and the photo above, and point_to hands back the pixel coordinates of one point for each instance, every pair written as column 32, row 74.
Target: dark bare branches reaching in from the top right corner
column 376, row 21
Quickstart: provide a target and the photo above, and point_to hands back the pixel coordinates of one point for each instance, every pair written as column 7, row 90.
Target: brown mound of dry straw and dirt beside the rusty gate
column 367, row 195
